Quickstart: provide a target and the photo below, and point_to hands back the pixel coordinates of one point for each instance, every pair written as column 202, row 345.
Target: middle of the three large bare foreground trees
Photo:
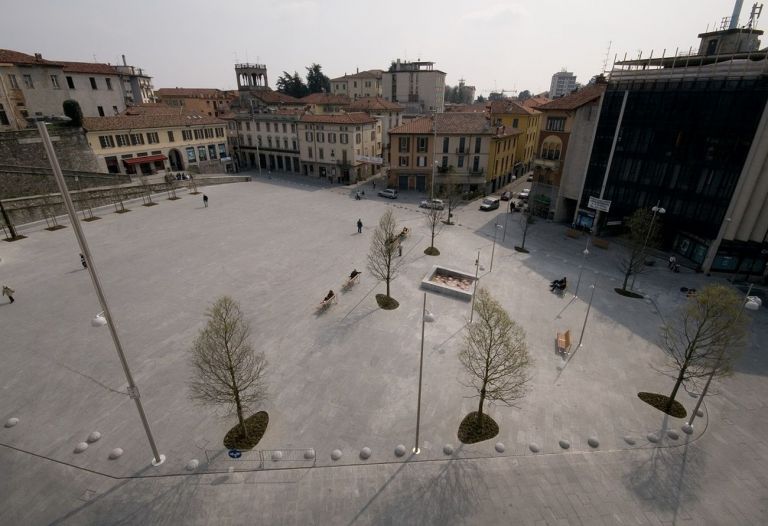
column 495, row 354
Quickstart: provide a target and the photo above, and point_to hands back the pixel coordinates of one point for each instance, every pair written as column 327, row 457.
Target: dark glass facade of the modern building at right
column 683, row 143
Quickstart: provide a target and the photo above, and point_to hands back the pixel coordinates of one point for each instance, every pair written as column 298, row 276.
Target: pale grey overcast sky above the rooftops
column 492, row 44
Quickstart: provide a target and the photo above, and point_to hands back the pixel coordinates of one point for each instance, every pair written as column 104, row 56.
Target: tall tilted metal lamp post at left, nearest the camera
column 133, row 390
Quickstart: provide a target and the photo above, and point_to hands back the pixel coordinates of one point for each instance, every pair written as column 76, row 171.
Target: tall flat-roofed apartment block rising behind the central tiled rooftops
column 416, row 85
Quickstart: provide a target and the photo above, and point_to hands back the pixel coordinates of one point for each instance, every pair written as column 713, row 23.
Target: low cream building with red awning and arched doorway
column 158, row 141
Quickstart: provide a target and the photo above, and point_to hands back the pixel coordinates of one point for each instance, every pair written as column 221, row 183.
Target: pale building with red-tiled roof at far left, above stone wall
column 32, row 86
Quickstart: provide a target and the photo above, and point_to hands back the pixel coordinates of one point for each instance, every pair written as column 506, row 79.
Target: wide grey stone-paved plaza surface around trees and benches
column 347, row 378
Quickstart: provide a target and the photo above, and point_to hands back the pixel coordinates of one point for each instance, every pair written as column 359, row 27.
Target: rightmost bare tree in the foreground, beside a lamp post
column 705, row 335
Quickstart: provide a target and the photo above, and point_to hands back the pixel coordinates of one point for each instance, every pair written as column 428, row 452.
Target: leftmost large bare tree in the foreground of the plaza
column 227, row 370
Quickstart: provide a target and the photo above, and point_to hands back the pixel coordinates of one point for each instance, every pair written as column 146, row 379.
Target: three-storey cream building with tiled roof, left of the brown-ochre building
column 340, row 147
